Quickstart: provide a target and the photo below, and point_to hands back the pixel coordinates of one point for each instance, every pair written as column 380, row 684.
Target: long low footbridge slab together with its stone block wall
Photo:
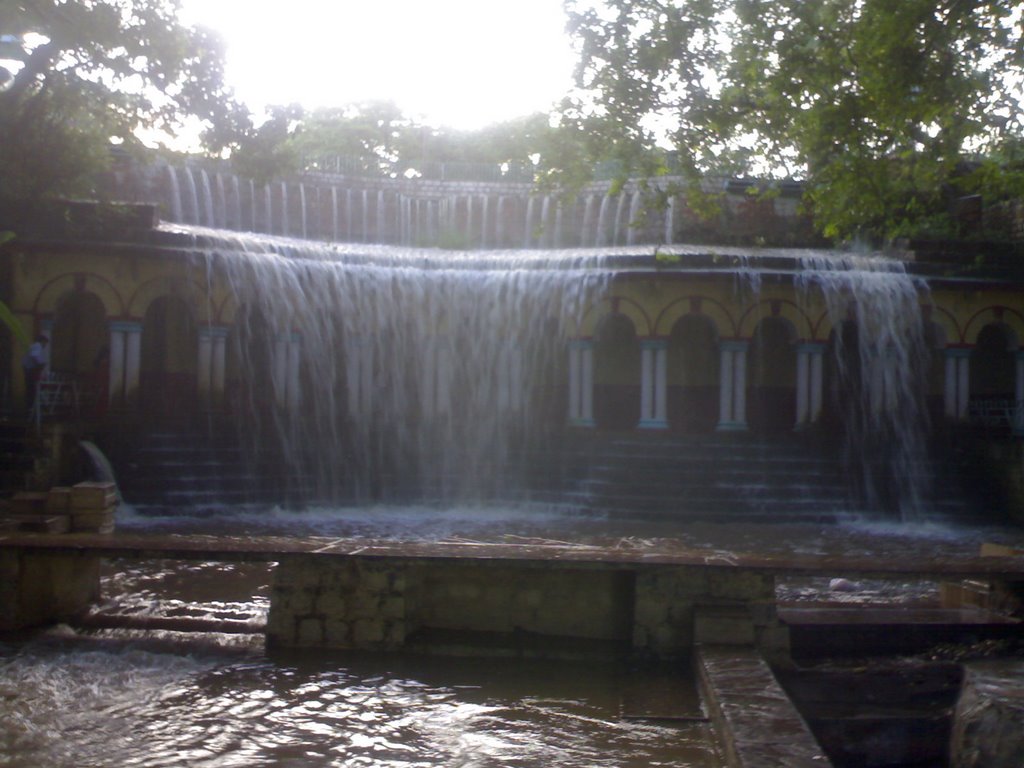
column 658, row 600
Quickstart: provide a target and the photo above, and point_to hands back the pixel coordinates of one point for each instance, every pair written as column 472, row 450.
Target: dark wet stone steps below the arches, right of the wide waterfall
column 728, row 478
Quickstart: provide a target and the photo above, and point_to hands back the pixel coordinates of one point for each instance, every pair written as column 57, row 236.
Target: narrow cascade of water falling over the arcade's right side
column 880, row 363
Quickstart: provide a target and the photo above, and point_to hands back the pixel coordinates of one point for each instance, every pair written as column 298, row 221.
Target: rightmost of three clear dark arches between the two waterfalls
column 772, row 377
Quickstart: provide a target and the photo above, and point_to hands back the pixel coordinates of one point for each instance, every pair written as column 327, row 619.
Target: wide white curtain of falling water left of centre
column 381, row 372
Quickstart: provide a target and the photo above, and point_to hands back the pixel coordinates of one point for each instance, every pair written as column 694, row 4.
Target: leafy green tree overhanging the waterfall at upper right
column 885, row 110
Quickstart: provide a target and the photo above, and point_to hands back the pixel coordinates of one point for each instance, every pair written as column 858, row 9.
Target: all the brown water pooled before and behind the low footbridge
column 126, row 698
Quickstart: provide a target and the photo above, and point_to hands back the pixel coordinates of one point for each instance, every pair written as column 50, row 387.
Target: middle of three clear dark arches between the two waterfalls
column 694, row 373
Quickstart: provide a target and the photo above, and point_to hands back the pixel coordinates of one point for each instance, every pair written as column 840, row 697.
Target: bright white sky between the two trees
column 462, row 64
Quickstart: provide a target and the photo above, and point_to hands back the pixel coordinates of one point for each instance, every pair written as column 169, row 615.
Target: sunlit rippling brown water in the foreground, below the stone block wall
column 142, row 703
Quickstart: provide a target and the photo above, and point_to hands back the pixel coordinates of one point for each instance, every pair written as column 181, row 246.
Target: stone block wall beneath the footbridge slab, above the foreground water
column 389, row 604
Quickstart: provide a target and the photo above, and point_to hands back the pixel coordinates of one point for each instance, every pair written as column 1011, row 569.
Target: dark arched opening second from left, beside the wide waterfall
column 169, row 357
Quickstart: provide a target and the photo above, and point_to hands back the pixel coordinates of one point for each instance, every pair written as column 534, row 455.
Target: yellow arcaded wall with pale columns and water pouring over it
column 367, row 372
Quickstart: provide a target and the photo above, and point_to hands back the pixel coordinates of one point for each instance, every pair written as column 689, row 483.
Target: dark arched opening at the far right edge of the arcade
column 994, row 376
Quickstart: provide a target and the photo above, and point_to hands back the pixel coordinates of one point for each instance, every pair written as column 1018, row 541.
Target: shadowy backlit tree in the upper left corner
column 90, row 72
